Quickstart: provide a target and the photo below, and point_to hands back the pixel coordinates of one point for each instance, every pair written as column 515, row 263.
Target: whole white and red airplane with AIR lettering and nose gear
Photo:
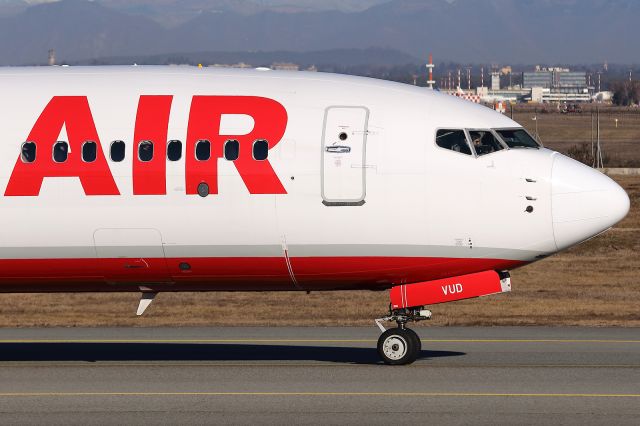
column 163, row 179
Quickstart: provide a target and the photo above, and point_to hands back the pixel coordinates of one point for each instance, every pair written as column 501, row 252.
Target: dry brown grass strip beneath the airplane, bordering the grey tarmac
column 594, row 284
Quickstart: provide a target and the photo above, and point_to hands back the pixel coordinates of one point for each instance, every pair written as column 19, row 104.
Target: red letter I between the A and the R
column 152, row 123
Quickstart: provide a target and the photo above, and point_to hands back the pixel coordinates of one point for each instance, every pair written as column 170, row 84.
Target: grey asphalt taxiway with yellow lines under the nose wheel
column 475, row 375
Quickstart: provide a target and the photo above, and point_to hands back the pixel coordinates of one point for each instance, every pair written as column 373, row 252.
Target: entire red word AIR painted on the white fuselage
column 152, row 120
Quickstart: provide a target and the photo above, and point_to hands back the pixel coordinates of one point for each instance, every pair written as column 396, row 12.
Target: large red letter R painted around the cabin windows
column 270, row 119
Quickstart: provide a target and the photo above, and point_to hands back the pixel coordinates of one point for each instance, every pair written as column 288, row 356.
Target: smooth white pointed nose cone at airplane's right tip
column 585, row 202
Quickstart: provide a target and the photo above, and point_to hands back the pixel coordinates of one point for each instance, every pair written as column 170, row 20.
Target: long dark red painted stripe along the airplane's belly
column 241, row 274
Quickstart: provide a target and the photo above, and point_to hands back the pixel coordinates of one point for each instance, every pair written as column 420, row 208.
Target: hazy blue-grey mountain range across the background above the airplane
column 506, row 31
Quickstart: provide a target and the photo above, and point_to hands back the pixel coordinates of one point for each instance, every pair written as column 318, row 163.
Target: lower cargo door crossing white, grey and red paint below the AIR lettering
column 131, row 255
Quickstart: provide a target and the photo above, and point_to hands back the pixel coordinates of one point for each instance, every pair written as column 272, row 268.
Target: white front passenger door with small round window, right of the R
column 343, row 156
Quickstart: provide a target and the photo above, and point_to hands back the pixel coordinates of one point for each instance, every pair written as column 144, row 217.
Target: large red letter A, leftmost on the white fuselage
column 74, row 113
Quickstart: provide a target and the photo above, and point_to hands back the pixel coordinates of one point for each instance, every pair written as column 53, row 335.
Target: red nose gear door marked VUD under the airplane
column 445, row 290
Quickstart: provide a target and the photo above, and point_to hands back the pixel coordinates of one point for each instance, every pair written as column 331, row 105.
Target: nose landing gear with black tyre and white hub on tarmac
column 400, row 345
